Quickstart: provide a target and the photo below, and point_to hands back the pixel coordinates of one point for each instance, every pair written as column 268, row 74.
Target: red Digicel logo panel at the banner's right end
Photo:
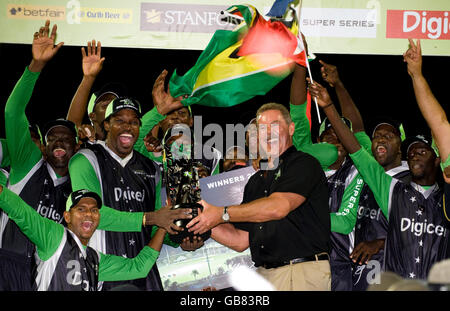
column 417, row 24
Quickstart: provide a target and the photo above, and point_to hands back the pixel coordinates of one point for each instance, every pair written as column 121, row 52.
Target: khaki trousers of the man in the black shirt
column 305, row 276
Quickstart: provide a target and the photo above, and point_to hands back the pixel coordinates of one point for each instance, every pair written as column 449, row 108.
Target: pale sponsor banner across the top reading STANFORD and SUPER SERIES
column 330, row 26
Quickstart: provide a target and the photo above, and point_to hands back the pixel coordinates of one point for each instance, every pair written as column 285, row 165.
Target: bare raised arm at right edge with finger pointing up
column 431, row 110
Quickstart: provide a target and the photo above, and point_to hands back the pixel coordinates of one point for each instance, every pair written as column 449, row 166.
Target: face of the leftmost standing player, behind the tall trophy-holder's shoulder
column 60, row 147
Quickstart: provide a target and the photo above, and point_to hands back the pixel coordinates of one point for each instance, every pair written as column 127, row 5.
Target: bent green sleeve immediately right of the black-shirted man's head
column 325, row 153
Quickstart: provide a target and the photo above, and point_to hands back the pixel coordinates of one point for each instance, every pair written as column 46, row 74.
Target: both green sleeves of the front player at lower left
column 47, row 235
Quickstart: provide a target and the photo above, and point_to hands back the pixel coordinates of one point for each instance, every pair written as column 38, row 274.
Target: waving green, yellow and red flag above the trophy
column 240, row 64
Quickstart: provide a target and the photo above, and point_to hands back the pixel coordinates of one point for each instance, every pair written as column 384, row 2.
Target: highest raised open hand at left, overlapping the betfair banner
column 43, row 47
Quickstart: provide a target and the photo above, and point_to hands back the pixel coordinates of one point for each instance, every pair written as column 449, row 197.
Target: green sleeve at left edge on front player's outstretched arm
column 44, row 233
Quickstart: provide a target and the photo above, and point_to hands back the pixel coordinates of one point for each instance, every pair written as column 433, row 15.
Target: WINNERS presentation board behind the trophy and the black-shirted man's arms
column 211, row 264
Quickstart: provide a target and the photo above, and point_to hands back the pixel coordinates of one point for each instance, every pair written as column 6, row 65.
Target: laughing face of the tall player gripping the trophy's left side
column 122, row 132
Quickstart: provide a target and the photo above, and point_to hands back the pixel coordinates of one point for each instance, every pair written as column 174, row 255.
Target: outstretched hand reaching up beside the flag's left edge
column 163, row 101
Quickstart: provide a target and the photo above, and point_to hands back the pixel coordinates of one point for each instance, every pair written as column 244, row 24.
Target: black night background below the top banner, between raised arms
column 378, row 84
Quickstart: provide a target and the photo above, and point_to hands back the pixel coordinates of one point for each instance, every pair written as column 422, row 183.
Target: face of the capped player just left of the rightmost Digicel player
column 386, row 146
